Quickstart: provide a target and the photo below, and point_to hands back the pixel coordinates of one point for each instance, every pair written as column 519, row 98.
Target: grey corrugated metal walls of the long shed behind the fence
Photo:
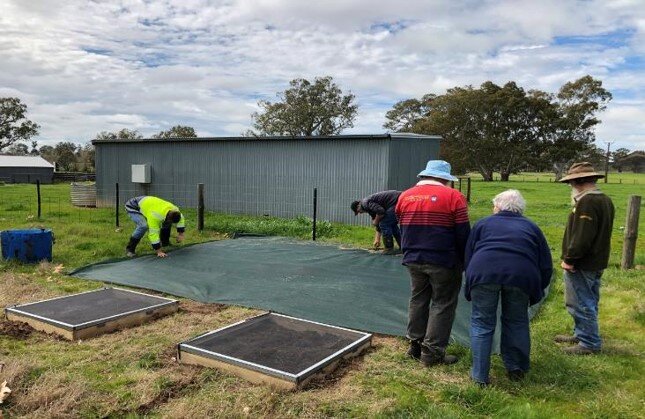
column 266, row 175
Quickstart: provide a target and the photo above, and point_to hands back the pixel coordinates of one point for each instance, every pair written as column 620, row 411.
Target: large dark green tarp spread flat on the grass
column 350, row 288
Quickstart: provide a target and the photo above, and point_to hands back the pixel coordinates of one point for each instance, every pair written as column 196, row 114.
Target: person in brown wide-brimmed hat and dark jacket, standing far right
column 585, row 254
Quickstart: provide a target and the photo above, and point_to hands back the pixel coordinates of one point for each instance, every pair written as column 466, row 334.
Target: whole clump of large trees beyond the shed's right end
column 506, row 129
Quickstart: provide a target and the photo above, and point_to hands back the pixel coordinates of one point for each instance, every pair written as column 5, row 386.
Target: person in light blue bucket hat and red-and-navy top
column 434, row 230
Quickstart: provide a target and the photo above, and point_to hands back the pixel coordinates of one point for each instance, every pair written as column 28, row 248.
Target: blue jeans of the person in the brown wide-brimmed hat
column 582, row 294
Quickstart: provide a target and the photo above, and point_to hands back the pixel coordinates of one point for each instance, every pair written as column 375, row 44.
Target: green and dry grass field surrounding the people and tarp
column 132, row 373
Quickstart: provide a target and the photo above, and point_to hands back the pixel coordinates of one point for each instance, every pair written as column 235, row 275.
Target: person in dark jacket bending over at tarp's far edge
column 380, row 206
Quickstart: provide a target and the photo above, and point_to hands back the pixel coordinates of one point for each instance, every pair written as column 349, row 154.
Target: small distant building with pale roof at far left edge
column 25, row 169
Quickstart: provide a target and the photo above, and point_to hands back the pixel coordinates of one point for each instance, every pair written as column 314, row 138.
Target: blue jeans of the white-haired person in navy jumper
column 516, row 339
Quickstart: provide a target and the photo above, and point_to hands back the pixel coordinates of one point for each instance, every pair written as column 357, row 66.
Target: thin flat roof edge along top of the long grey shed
column 393, row 136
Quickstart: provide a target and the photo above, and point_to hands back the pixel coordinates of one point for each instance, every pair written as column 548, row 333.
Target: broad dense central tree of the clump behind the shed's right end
column 489, row 129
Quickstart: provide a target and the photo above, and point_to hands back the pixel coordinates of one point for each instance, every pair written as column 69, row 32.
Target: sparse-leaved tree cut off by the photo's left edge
column 14, row 126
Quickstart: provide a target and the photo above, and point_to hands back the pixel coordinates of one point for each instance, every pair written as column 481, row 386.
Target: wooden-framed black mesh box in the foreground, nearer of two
column 285, row 352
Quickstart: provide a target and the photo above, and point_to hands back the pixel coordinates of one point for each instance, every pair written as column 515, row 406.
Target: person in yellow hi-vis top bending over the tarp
column 155, row 216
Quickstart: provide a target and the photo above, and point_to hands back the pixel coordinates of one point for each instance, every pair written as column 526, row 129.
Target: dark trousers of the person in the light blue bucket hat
column 433, row 301
